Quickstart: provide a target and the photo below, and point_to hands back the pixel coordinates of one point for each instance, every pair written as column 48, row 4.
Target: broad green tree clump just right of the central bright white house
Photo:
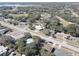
column 54, row 25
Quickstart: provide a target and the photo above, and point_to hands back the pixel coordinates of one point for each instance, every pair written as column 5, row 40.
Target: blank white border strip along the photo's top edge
column 39, row 0
